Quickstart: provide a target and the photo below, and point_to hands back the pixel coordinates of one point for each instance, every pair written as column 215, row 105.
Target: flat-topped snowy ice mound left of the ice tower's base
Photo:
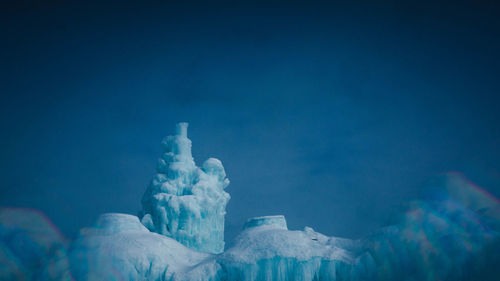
column 119, row 247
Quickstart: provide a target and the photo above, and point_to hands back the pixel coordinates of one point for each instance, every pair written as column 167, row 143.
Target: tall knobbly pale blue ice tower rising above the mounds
column 186, row 202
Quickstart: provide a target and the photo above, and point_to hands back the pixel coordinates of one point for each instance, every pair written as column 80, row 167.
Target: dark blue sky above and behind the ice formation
column 330, row 114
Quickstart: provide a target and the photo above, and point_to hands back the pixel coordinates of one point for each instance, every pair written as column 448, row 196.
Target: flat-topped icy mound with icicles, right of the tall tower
column 268, row 251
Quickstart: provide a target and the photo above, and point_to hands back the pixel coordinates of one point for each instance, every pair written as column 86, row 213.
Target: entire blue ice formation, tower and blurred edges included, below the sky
column 452, row 233
